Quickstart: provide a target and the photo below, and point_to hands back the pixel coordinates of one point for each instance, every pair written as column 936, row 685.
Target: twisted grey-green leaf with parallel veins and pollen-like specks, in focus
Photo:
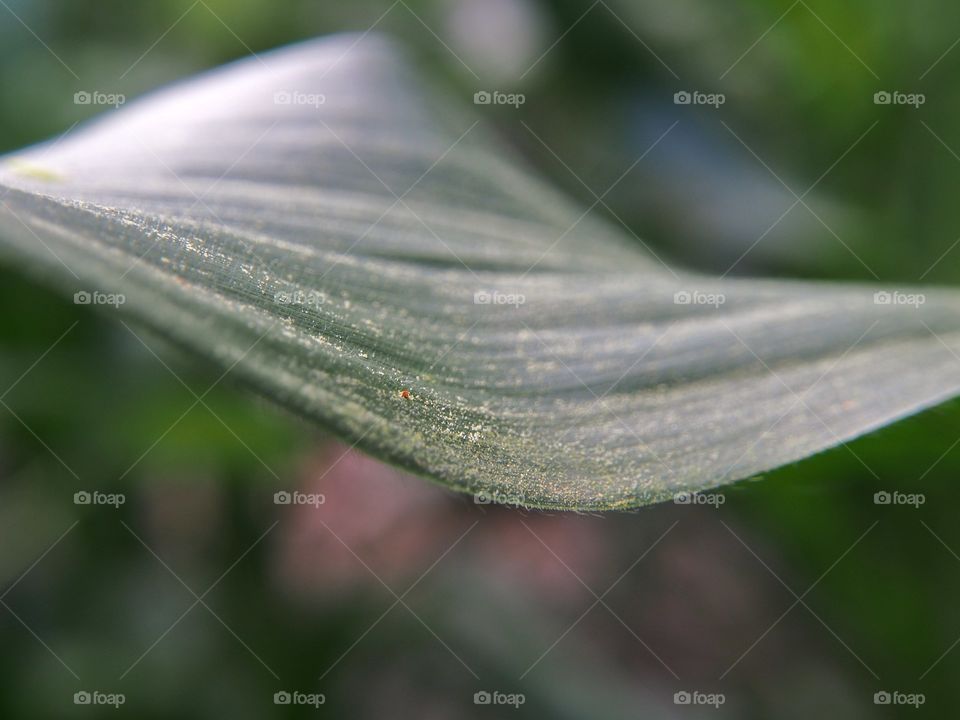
column 327, row 229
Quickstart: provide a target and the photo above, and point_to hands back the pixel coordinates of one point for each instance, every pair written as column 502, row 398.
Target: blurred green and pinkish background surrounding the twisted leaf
column 199, row 597
